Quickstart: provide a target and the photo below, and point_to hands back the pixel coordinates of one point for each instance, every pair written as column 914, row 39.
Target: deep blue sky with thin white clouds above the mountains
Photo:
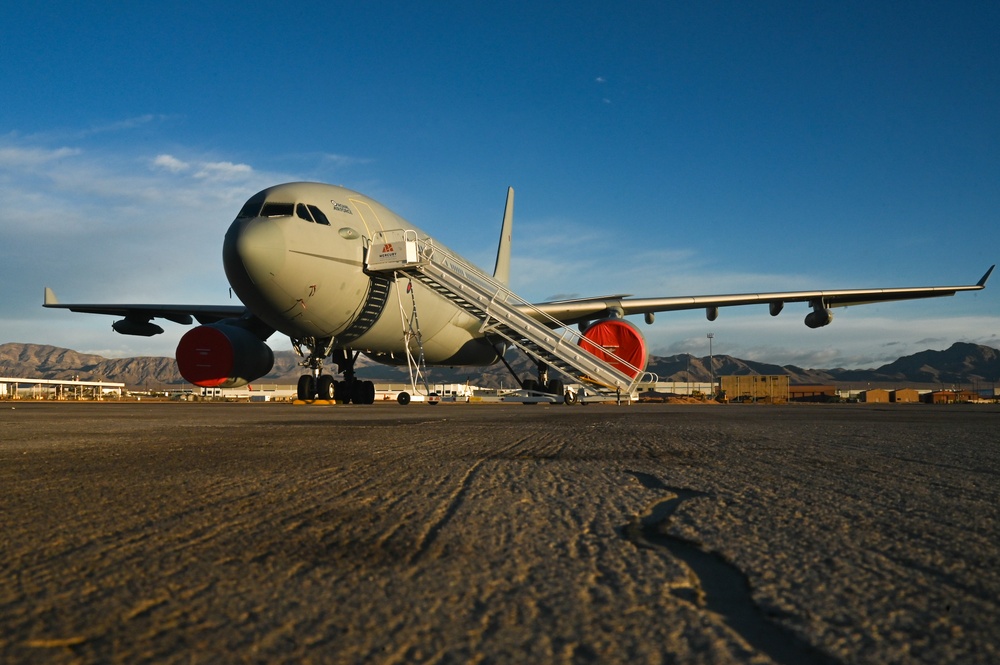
column 655, row 149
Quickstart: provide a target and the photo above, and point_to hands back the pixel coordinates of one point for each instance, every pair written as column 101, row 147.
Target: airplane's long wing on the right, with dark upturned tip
column 587, row 309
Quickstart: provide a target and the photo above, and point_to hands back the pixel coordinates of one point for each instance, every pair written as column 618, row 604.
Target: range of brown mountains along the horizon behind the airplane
column 960, row 363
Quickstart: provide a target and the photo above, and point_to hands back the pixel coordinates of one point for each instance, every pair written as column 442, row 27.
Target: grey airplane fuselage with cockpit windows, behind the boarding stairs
column 295, row 256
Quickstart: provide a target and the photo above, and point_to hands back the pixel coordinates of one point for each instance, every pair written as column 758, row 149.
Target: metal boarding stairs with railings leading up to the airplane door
column 501, row 312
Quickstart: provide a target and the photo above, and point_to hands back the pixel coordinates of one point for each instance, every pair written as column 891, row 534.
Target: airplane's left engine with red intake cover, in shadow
column 222, row 356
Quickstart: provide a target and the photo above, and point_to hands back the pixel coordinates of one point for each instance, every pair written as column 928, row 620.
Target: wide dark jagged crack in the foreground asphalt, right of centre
column 717, row 586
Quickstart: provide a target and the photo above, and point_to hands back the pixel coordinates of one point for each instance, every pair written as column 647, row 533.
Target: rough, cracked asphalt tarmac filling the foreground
column 206, row 533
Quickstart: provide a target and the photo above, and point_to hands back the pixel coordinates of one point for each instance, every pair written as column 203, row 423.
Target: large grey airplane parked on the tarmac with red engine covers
column 333, row 270
